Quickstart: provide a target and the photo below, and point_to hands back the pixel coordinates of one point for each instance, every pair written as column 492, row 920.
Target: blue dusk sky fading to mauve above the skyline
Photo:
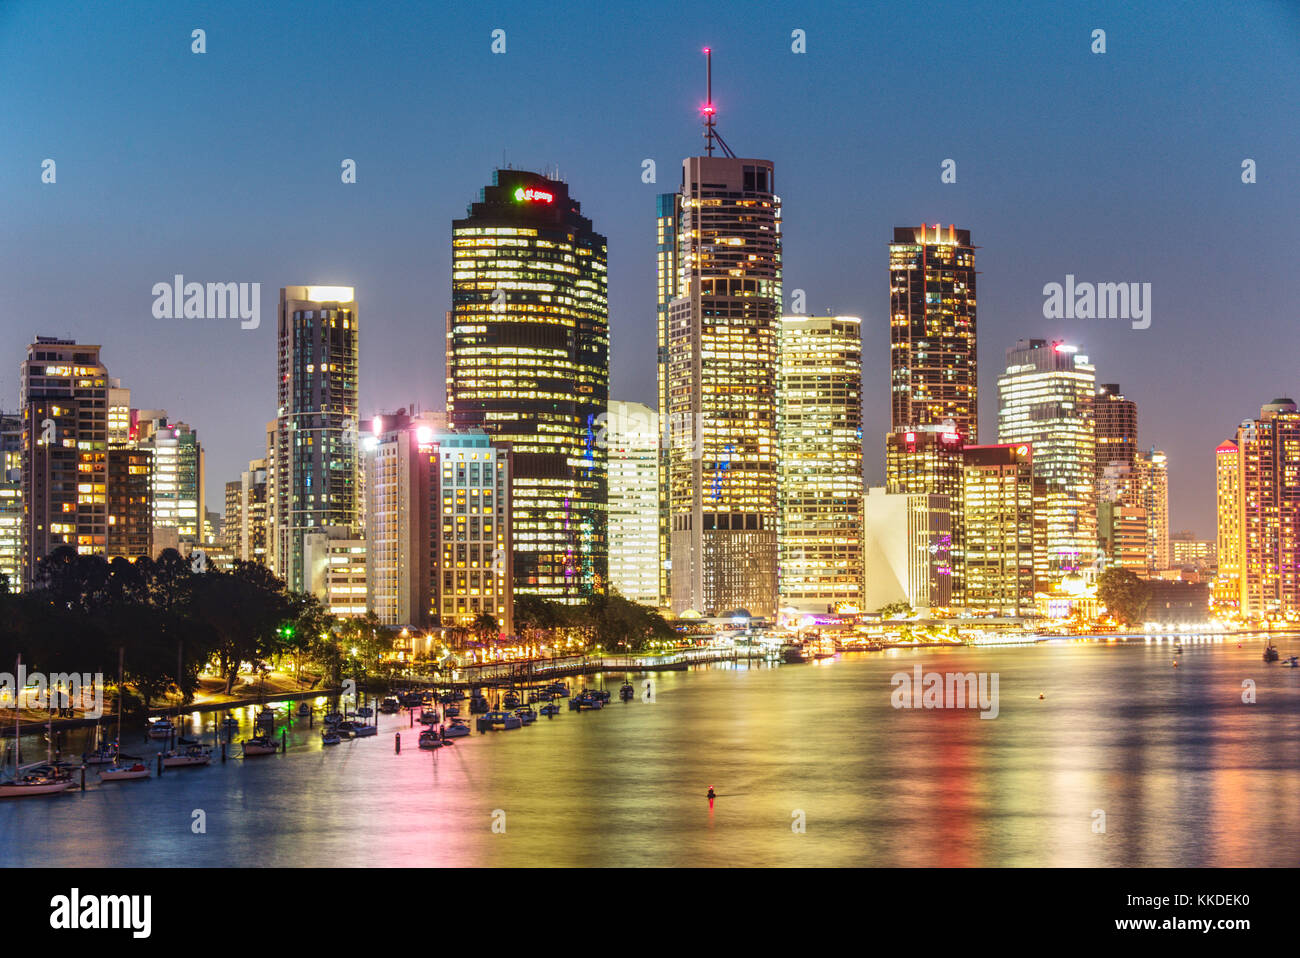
column 226, row 168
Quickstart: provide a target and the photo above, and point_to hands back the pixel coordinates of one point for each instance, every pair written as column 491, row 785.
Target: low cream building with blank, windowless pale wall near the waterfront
column 907, row 550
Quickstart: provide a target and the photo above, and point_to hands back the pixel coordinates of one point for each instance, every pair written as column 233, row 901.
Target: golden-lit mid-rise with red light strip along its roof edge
column 1003, row 548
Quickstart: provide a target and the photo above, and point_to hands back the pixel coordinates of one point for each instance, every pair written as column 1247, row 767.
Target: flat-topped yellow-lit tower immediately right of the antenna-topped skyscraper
column 820, row 452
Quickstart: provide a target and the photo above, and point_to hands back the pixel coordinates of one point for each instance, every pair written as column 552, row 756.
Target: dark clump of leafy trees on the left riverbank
column 84, row 610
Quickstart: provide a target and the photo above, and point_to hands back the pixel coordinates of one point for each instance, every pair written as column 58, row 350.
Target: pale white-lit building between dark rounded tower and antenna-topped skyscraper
column 632, row 444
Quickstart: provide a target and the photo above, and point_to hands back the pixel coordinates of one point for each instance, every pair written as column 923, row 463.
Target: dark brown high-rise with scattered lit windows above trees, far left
column 64, row 408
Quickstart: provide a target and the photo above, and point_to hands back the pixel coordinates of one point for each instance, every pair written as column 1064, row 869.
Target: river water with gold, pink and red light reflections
column 1184, row 770
